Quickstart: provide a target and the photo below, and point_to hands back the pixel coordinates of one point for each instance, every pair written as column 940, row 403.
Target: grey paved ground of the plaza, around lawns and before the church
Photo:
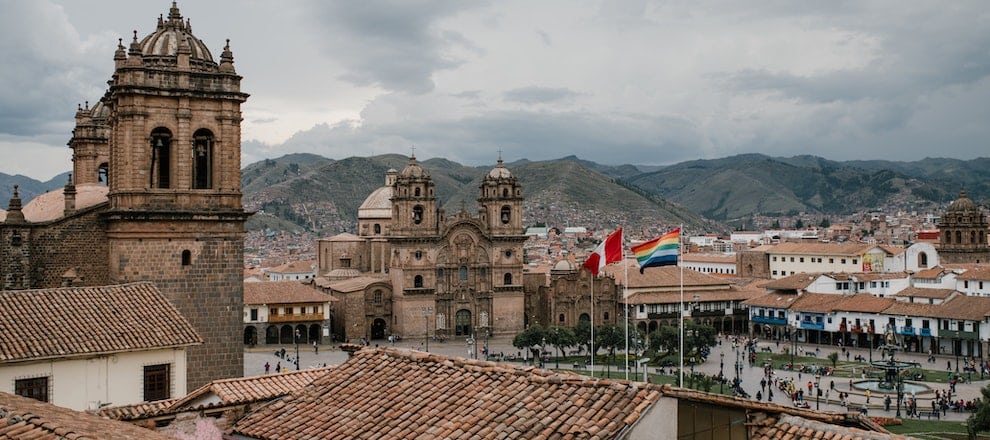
column 255, row 359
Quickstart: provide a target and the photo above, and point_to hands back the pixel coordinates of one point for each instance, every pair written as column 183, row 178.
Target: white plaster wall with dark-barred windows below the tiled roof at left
column 84, row 383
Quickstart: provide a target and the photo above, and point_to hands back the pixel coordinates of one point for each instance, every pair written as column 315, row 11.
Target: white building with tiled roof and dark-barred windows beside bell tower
column 86, row 347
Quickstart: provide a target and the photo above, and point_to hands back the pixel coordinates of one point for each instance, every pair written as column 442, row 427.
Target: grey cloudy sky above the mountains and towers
column 643, row 82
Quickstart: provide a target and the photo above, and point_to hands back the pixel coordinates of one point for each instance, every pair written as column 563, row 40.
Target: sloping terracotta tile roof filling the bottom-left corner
column 24, row 418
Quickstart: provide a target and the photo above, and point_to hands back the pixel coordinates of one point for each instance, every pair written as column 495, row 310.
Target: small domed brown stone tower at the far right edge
column 963, row 233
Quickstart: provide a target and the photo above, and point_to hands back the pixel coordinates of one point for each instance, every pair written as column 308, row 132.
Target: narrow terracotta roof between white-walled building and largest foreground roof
column 220, row 393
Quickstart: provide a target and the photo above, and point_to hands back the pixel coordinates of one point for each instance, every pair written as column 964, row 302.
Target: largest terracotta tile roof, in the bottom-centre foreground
column 397, row 393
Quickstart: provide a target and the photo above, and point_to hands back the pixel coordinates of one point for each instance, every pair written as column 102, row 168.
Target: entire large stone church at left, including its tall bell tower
column 155, row 193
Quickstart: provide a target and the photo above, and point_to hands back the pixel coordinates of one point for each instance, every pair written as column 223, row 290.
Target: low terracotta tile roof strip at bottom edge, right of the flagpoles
column 788, row 427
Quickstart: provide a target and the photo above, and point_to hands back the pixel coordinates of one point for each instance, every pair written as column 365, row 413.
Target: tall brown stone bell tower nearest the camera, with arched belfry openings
column 175, row 214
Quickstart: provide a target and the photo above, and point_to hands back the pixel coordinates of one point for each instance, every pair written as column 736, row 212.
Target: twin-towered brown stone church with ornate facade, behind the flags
column 414, row 271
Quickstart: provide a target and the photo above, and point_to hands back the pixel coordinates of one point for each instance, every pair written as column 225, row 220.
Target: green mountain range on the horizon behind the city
column 307, row 192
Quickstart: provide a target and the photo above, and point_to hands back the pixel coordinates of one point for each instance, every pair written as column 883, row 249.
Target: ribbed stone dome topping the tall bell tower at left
column 172, row 35
